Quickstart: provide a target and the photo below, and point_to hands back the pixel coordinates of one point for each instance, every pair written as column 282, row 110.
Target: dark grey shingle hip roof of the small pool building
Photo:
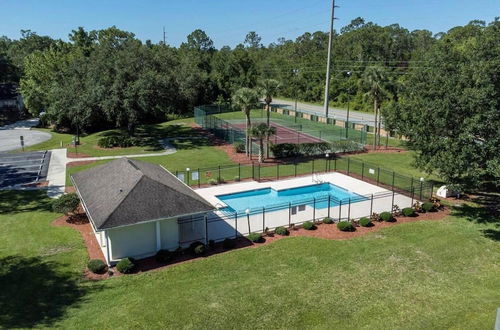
column 125, row 192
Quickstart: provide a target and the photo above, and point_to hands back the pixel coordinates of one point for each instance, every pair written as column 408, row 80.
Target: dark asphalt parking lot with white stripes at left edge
column 23, row 168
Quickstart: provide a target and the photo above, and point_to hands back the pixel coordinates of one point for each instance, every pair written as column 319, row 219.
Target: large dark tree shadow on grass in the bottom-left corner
column 34, row 293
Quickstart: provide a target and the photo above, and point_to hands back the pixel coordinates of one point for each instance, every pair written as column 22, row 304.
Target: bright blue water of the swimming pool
column 274, row 200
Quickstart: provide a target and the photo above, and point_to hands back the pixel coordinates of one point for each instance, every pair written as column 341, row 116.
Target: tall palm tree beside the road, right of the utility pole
column 373, row 82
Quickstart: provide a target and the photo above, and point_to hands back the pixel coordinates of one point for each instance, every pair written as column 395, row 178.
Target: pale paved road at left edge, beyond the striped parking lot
column 9, row 135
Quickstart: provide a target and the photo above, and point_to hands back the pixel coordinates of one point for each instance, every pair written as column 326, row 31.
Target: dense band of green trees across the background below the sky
column 439, row 91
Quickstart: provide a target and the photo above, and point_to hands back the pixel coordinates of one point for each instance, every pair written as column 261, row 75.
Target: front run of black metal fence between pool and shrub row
column 227, row 223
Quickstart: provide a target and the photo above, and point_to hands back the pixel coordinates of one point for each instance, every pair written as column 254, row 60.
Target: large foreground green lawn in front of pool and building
column 419, row 275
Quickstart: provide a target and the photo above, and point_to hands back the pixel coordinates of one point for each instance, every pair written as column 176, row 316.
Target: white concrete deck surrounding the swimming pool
column 223, row 224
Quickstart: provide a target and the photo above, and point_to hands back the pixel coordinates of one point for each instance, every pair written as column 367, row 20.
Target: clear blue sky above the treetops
column 228, row 21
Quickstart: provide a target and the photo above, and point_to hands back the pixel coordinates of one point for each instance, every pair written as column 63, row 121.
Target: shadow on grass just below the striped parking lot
column 15, row 201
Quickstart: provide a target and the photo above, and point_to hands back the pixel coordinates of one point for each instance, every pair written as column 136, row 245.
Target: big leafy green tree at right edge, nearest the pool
column 449, row 112
